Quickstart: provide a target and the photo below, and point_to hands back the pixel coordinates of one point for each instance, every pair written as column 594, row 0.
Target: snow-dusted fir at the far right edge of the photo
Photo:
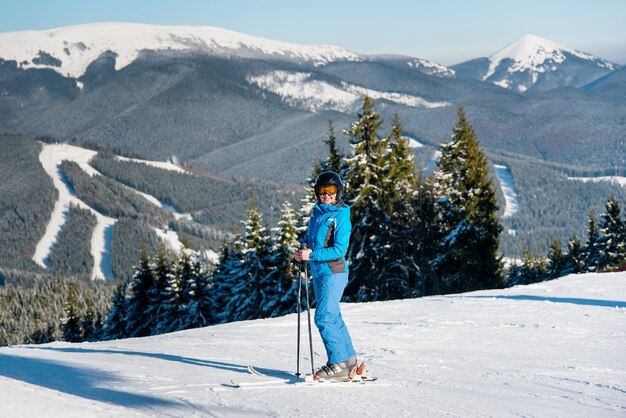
column 613, row 230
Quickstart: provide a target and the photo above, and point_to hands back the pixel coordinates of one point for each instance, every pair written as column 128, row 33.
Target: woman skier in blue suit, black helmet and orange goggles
column 326, row 243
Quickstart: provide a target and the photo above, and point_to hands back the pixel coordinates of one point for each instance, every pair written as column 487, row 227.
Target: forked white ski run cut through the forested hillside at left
column 51, row 157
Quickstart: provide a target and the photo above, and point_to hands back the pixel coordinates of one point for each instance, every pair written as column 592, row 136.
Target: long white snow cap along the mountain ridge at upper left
column 69, row 50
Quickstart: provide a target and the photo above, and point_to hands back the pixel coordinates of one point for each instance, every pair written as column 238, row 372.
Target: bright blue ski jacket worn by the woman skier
column 328, row 235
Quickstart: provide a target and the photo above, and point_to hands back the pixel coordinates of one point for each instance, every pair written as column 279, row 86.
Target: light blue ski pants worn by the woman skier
column 328, row 291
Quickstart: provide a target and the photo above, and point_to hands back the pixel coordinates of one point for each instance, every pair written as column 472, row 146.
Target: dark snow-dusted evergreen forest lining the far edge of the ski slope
column 412, row 235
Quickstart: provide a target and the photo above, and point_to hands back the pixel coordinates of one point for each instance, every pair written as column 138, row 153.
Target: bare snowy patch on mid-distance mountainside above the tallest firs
column 300, row 90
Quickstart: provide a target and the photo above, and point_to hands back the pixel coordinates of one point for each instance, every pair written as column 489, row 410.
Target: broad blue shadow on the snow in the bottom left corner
column 73, row 380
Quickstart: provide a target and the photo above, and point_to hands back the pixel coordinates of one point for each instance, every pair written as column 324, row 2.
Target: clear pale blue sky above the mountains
column 444, row 31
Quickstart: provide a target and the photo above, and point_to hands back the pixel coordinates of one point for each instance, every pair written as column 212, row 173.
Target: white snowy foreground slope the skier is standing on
column 550, row 349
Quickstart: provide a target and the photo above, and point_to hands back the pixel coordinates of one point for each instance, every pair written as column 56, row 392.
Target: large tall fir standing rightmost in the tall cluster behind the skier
column 468, row 257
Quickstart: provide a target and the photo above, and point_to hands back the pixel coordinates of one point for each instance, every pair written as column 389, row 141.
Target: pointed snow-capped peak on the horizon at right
column 532, row 62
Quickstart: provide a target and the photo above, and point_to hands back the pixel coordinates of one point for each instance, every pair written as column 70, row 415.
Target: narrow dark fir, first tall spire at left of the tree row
column 138, row 323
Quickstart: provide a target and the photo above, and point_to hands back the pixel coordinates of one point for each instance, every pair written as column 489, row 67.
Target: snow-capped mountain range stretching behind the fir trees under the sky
column 231, row 104
